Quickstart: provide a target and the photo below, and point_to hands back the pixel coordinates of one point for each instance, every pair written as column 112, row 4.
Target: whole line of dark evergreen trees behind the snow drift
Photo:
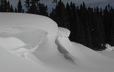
column 92, row 27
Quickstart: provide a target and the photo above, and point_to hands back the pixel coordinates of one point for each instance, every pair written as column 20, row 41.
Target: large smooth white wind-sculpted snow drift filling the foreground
column 34, row 43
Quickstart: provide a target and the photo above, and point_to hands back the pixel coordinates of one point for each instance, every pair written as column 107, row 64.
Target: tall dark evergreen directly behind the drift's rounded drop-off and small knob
column 58, row 14
